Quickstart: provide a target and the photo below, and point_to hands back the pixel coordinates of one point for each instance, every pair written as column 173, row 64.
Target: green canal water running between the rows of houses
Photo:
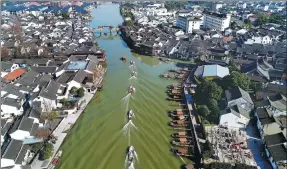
column 97, row 140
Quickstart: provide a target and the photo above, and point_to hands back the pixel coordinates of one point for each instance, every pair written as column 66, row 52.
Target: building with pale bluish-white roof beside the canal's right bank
column 211, row 72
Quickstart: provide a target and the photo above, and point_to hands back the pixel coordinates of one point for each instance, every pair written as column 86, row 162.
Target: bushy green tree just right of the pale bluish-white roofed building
column 235, row 79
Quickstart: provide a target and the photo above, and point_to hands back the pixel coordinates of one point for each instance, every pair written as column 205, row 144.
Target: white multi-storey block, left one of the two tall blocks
column 188, row 23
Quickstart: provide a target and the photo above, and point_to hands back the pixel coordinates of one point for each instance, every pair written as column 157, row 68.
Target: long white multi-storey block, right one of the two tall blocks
column 216, row 21
